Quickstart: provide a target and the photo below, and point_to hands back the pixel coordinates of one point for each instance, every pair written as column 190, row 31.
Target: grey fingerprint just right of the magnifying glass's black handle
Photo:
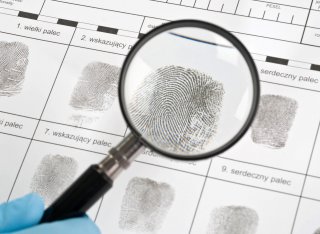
column 145, row 205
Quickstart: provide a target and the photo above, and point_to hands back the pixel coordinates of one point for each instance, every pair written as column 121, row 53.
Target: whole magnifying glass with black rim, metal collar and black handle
column 188, row 90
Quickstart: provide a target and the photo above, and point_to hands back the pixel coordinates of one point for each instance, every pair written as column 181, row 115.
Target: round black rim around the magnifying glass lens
column 219, row 31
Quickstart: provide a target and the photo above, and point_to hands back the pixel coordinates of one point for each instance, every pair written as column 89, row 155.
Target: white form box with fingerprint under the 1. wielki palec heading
column 28, row 68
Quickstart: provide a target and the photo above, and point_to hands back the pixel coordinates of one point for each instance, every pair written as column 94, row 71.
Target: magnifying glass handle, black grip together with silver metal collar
column 94, row 182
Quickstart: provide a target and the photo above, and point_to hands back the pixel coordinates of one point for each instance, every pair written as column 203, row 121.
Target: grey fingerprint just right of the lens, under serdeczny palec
column 274, row 120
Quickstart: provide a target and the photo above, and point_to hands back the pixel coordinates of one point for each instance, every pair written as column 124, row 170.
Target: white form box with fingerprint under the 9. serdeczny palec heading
column 228, row 208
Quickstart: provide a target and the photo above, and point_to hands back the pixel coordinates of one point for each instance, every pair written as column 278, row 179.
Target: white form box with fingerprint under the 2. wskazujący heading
column 86, row 92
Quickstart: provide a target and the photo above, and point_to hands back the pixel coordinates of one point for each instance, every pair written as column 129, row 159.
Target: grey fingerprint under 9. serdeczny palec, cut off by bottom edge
column 233, row 220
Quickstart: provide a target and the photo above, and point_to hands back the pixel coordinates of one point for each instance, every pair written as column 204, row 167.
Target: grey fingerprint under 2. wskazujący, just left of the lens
column 96, row 89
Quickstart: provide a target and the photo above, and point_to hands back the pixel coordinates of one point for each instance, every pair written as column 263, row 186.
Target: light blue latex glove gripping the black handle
column 23, row 215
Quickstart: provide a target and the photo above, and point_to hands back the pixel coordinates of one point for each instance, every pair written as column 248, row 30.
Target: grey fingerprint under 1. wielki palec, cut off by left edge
column 13, row 65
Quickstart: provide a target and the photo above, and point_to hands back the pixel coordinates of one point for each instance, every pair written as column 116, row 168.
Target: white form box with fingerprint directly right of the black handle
column 149, row 199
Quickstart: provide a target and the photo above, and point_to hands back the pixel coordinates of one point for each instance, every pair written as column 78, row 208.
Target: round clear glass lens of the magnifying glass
column 188, row 91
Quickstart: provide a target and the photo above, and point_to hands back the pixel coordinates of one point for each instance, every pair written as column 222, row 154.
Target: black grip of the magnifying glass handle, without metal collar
column 80, row 196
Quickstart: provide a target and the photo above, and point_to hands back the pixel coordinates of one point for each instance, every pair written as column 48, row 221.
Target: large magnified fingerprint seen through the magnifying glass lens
column 177, row 108
